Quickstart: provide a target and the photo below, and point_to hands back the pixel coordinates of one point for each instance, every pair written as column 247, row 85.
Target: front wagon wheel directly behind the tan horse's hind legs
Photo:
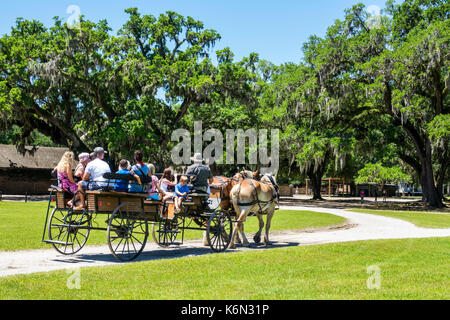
column 219, row 230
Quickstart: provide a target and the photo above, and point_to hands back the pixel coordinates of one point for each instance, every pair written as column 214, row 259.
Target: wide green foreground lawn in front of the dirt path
column 408, row 269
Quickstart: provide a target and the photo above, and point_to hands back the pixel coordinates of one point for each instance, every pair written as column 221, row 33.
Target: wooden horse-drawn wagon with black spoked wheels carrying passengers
column 128, row 216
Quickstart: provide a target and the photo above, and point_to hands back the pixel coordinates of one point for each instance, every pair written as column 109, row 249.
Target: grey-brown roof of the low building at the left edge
column 43, row 157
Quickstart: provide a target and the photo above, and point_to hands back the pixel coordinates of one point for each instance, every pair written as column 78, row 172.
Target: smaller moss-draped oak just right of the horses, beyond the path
column 312, row 136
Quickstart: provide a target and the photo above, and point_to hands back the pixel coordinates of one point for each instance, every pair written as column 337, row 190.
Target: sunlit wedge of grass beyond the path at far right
column 420, row 219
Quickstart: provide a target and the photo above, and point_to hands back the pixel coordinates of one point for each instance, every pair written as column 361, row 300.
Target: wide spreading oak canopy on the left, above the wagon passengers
column 84, row 87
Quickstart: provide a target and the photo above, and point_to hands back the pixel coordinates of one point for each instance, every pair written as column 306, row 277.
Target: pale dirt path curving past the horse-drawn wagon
column 360, row 226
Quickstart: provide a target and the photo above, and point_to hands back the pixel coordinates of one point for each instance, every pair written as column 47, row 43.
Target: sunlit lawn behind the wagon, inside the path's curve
column 22, row 224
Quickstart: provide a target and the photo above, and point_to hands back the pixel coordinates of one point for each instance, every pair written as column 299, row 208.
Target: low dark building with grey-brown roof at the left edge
column 27, row 174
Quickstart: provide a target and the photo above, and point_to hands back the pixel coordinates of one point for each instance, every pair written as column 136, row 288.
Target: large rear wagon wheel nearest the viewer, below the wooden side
column 126, row 232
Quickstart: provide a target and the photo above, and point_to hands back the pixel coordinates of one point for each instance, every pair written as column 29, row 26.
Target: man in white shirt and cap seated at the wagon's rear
column 93, row 176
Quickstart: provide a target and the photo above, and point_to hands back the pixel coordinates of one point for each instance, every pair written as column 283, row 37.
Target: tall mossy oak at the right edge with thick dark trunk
column 394, row 70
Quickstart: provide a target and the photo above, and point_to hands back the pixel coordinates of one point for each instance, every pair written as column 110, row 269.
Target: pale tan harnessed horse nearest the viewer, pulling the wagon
column 259, row 197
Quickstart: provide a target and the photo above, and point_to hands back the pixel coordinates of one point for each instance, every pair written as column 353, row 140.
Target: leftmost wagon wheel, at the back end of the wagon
column 69, row 230
